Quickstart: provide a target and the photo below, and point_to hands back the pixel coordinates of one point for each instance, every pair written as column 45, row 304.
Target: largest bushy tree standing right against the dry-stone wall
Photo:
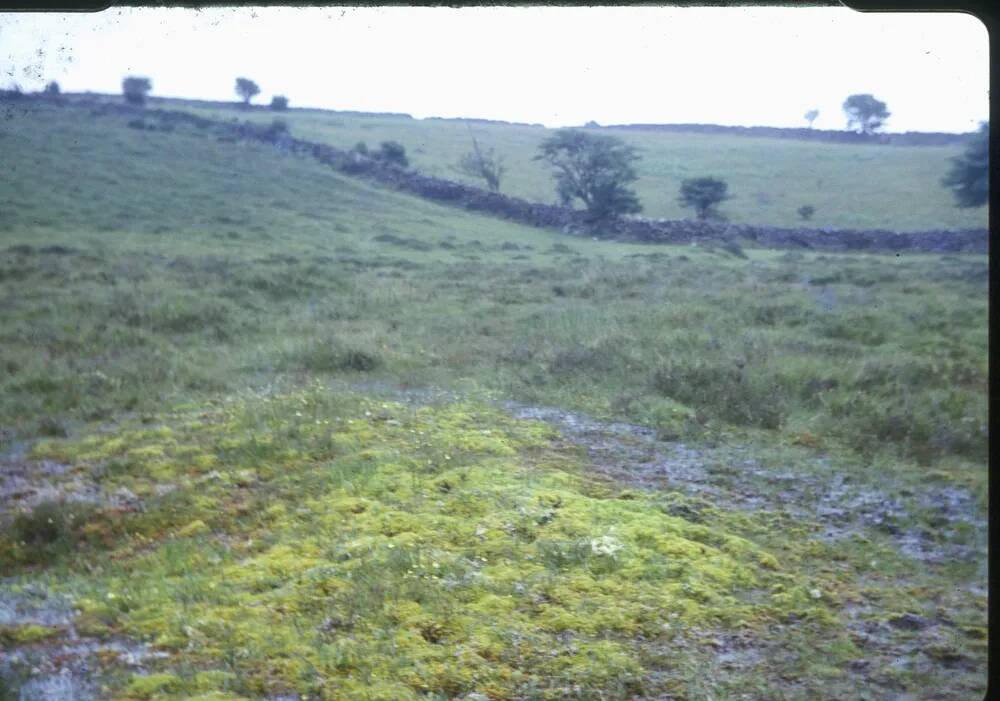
column 594, row 169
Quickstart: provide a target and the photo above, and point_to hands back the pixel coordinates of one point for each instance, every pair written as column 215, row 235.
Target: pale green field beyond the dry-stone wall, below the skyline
column 851, row 186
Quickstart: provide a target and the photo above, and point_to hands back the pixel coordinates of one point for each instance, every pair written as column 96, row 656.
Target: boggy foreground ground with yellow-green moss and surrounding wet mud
column 384, row 544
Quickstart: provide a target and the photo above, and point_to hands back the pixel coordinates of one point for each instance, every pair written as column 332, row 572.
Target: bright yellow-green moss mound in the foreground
column 339, row 547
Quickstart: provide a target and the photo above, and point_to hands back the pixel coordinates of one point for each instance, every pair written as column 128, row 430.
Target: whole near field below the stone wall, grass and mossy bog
column 276, row 395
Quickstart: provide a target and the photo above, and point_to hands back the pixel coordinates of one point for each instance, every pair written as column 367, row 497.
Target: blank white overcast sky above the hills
column 554, row 65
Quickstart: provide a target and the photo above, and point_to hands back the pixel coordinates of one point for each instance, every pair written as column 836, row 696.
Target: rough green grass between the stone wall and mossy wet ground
column 875, row 353
